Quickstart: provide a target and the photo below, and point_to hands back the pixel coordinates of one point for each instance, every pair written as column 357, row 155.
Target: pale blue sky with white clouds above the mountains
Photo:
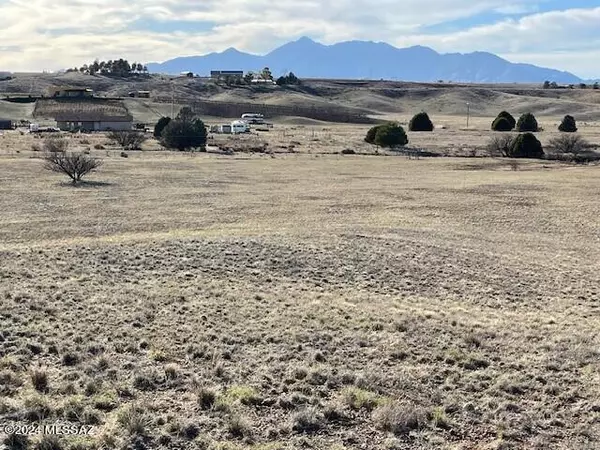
column 38, row 35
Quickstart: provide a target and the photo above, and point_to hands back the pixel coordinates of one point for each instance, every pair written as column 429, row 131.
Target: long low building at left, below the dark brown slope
column 93, row 121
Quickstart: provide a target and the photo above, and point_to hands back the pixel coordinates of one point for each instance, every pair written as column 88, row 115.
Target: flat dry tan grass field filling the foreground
column 301, row 300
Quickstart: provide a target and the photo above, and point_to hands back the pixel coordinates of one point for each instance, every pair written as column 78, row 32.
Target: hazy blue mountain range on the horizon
column 370, row 60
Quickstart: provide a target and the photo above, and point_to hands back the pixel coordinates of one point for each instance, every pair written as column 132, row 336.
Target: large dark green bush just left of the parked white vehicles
column 185, row 132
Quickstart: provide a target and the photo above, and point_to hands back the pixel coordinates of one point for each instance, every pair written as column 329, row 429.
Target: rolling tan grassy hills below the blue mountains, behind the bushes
column 372, row 97
